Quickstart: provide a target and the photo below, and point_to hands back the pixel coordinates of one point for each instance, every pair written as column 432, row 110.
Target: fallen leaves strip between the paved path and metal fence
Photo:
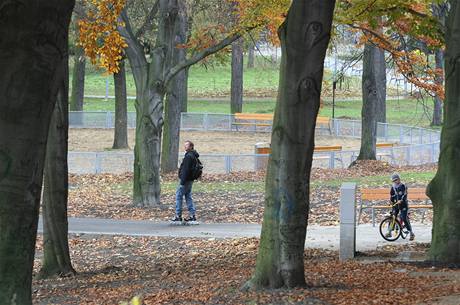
column 101, row 196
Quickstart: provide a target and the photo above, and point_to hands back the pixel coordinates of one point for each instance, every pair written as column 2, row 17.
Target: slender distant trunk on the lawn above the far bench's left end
column 236, row 100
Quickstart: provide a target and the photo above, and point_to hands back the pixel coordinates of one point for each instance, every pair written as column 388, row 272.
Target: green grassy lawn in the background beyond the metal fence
column 214, row 82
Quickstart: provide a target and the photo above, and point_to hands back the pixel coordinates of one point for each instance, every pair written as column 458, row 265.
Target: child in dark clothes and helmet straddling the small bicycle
column 398, row 196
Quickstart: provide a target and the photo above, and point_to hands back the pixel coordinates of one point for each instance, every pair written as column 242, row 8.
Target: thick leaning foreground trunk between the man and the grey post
column 304, row 40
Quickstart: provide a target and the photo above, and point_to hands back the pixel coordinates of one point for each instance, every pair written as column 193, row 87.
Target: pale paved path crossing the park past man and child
column 327, row 237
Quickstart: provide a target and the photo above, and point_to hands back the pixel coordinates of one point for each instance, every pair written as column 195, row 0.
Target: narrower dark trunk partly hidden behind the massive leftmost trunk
column 56, row 260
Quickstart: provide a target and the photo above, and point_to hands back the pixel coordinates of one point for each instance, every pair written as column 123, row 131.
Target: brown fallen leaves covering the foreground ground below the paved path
column 204, row 271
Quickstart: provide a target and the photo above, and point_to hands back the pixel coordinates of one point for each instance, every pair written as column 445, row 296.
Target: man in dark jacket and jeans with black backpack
column 186, row 177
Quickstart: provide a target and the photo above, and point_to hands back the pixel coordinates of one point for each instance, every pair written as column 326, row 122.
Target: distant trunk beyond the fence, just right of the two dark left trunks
column 78, row 80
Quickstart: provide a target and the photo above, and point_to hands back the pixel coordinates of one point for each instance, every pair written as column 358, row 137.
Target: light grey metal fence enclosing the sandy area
column 415, row 145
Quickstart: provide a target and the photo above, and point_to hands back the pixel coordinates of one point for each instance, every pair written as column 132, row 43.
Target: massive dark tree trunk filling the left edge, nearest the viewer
column 33, row 45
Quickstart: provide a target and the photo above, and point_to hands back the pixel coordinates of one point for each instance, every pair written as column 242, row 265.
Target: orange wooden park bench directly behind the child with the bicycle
column 370, row 194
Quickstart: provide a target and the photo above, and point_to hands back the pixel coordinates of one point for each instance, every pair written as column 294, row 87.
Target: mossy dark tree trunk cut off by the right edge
column 443, row 189
